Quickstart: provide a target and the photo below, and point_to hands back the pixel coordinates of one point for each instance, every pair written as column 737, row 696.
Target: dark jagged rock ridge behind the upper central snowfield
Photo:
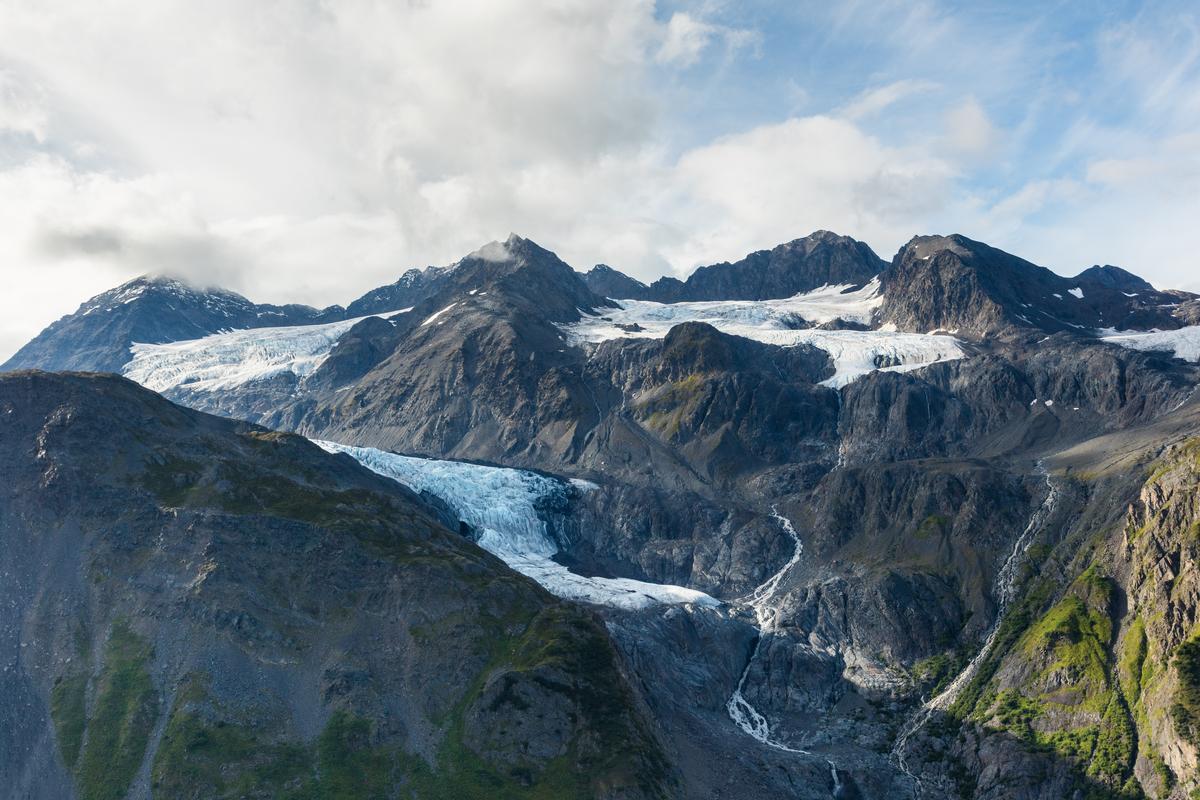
column 801, row 266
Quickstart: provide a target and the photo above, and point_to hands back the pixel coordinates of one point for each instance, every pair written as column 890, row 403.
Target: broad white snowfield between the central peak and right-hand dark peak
column 776, row 322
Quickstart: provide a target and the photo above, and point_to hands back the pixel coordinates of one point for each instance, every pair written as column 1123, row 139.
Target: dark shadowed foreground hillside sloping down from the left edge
column 194, row 605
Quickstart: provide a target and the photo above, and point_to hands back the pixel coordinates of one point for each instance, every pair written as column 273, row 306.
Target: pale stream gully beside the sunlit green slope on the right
column 1004, row 592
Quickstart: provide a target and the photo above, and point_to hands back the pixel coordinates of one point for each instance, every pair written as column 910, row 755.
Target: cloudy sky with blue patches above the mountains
column 307, row 152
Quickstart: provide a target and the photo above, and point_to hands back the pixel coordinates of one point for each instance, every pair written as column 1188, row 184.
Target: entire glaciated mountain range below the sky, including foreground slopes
column 811, row 525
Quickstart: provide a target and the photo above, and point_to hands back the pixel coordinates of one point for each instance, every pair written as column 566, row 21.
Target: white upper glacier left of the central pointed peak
column 229, row 360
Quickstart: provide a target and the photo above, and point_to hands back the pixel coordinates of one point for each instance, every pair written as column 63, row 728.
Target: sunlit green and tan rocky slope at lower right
column 1091, row 685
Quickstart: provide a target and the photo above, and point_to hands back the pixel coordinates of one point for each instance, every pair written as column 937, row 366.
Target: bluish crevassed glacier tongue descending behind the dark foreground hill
column 502, row 504
